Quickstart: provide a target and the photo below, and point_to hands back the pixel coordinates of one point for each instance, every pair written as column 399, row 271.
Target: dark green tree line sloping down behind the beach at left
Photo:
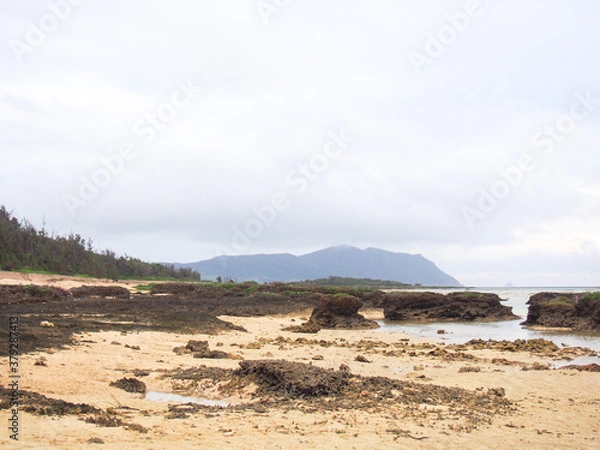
column 24, row 248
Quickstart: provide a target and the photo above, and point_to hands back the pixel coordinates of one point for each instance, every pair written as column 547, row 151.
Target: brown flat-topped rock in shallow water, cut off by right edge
column 576, row 311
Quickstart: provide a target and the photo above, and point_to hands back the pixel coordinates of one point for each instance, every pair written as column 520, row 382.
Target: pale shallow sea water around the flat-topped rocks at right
column 458, row 333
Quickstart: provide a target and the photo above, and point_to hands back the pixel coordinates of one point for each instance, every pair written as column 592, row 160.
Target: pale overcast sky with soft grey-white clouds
column 178, row 131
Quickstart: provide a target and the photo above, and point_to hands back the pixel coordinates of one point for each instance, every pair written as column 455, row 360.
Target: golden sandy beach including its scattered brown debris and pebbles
column 412, row 393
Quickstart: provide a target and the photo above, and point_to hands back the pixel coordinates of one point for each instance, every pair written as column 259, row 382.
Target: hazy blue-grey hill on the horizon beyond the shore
column 340, row 261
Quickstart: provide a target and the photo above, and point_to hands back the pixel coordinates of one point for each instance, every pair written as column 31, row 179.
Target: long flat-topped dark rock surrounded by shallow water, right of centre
column 456, row 306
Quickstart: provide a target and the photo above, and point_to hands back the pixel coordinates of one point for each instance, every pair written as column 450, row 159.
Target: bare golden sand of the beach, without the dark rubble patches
column 551, row 409
